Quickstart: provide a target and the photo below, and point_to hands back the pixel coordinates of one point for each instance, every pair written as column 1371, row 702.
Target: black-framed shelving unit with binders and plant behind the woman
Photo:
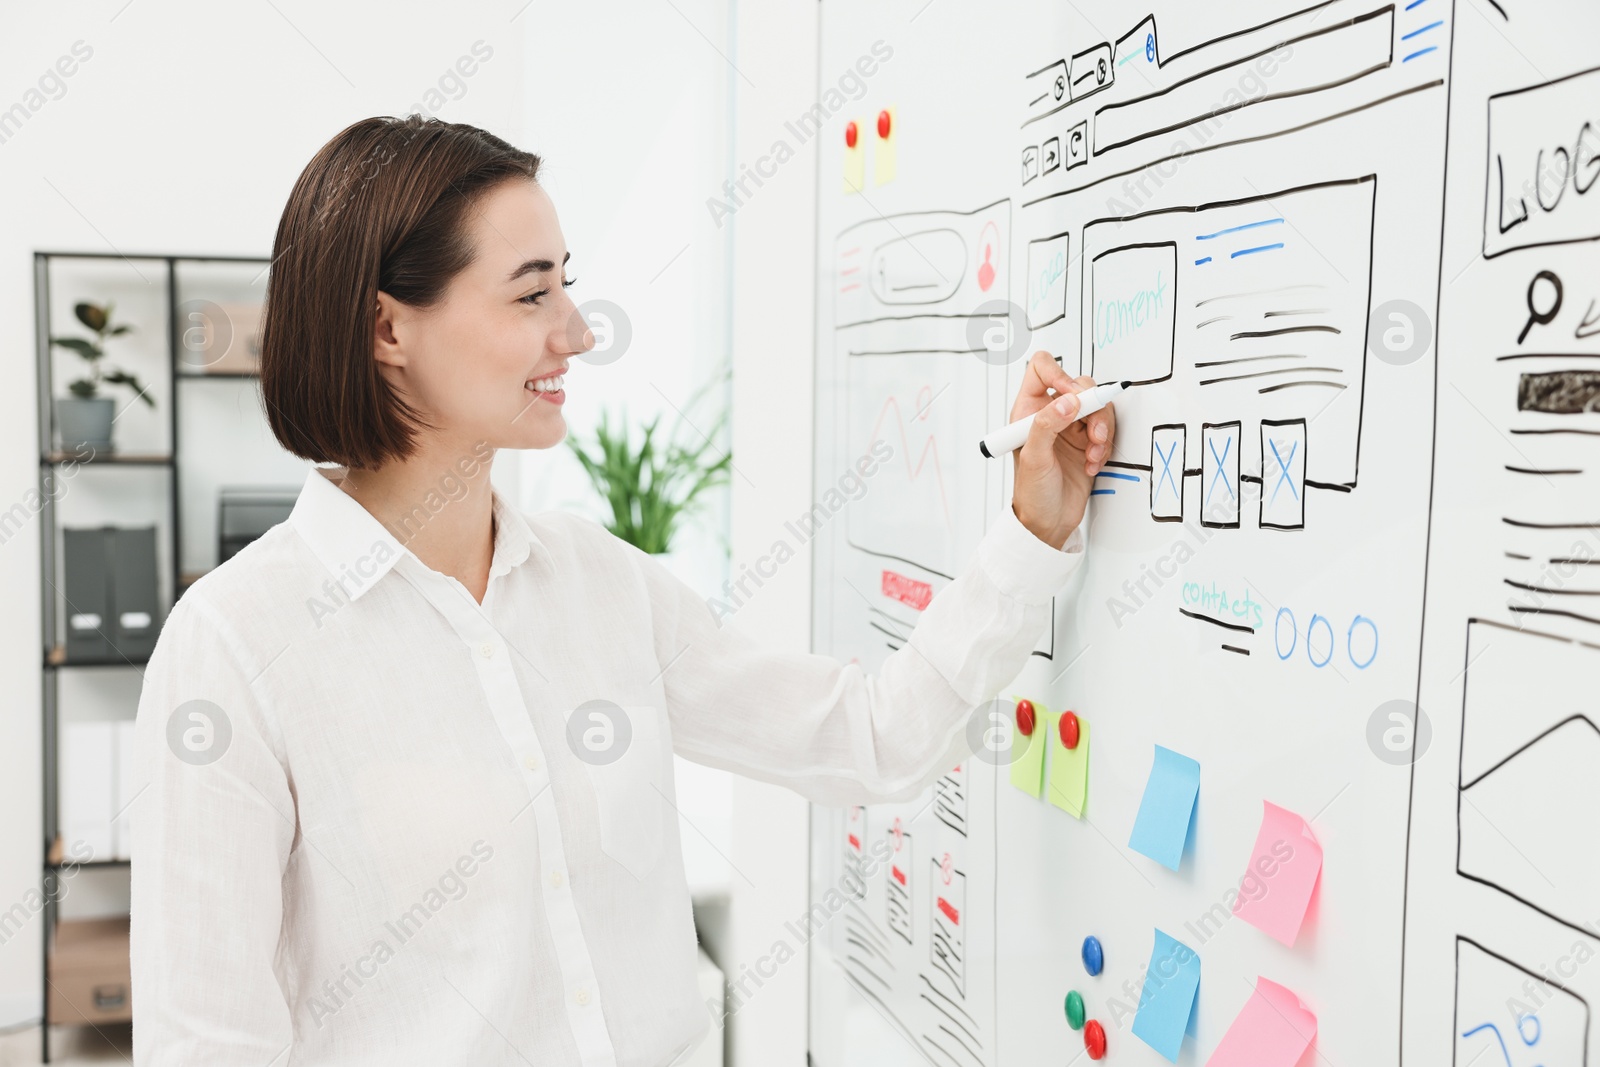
column 175, row 449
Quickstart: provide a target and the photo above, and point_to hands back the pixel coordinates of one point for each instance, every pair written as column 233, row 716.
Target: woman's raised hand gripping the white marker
column 1055, row 470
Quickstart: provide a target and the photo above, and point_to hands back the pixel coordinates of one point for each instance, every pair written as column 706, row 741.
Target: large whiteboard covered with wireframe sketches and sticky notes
column 1346, row 553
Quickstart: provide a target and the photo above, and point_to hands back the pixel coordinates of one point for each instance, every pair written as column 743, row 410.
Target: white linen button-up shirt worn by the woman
column 369, row 841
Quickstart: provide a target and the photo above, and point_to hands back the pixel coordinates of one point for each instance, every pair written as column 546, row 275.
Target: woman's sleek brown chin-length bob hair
column 382, row 207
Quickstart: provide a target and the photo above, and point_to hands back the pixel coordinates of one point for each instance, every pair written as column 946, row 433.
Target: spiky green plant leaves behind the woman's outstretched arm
column 652, row 487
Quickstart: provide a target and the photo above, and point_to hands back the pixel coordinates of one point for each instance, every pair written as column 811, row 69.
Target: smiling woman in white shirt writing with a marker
column 410, row 753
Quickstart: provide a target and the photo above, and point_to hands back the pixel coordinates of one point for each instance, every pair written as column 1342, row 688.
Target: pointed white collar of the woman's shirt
column 358, row 549
